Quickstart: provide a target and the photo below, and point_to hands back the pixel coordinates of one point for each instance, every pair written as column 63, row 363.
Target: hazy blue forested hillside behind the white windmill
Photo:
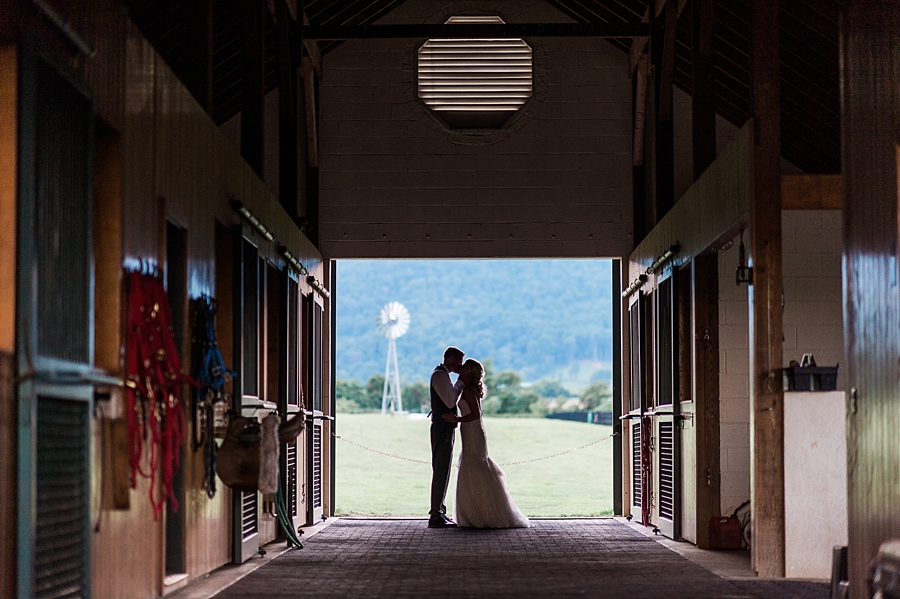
column 543, row 318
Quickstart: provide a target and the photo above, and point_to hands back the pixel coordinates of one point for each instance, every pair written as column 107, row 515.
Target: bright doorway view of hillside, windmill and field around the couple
column 544, row 330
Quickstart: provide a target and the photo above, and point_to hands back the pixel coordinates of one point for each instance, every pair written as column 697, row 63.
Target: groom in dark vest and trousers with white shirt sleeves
column 444, row 396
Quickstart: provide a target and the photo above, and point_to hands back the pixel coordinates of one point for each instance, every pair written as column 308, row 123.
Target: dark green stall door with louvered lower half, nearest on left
column 54, row 322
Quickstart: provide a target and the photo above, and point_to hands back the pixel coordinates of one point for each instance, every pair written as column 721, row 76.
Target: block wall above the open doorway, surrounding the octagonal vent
column 395, row 183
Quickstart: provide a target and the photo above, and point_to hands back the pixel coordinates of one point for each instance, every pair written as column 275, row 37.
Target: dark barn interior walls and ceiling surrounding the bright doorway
column 179, row 180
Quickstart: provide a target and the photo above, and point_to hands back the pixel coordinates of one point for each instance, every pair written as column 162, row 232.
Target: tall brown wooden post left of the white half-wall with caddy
column 766, row 395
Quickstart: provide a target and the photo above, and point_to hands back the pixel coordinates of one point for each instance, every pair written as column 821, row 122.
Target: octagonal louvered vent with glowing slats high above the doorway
column 475, row 83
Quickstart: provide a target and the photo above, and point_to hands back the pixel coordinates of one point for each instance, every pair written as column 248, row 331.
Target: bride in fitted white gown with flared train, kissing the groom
column 482, row 500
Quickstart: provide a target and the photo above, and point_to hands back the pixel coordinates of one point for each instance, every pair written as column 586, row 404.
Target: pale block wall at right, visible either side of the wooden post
column 812, row 321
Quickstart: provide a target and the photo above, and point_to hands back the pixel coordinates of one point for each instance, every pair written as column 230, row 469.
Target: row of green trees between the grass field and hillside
column 506, row 394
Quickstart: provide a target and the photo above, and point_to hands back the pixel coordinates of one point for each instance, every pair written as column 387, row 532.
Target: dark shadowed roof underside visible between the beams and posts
column 810, row 103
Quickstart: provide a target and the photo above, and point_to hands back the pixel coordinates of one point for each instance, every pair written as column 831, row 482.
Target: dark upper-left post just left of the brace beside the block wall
column 287, row 111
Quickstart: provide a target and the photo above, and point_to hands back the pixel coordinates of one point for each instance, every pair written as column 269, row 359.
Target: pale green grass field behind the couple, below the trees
column 575, row 484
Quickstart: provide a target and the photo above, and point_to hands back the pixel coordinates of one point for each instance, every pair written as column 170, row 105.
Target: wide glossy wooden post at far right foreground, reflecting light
column 870, row 116
